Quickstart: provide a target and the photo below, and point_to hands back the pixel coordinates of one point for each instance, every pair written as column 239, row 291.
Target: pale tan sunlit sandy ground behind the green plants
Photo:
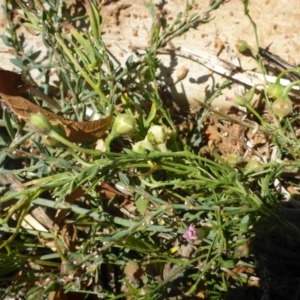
column 276, row 23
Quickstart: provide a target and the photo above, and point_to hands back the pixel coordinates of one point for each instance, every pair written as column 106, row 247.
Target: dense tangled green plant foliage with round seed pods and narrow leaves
column 142, row 215
